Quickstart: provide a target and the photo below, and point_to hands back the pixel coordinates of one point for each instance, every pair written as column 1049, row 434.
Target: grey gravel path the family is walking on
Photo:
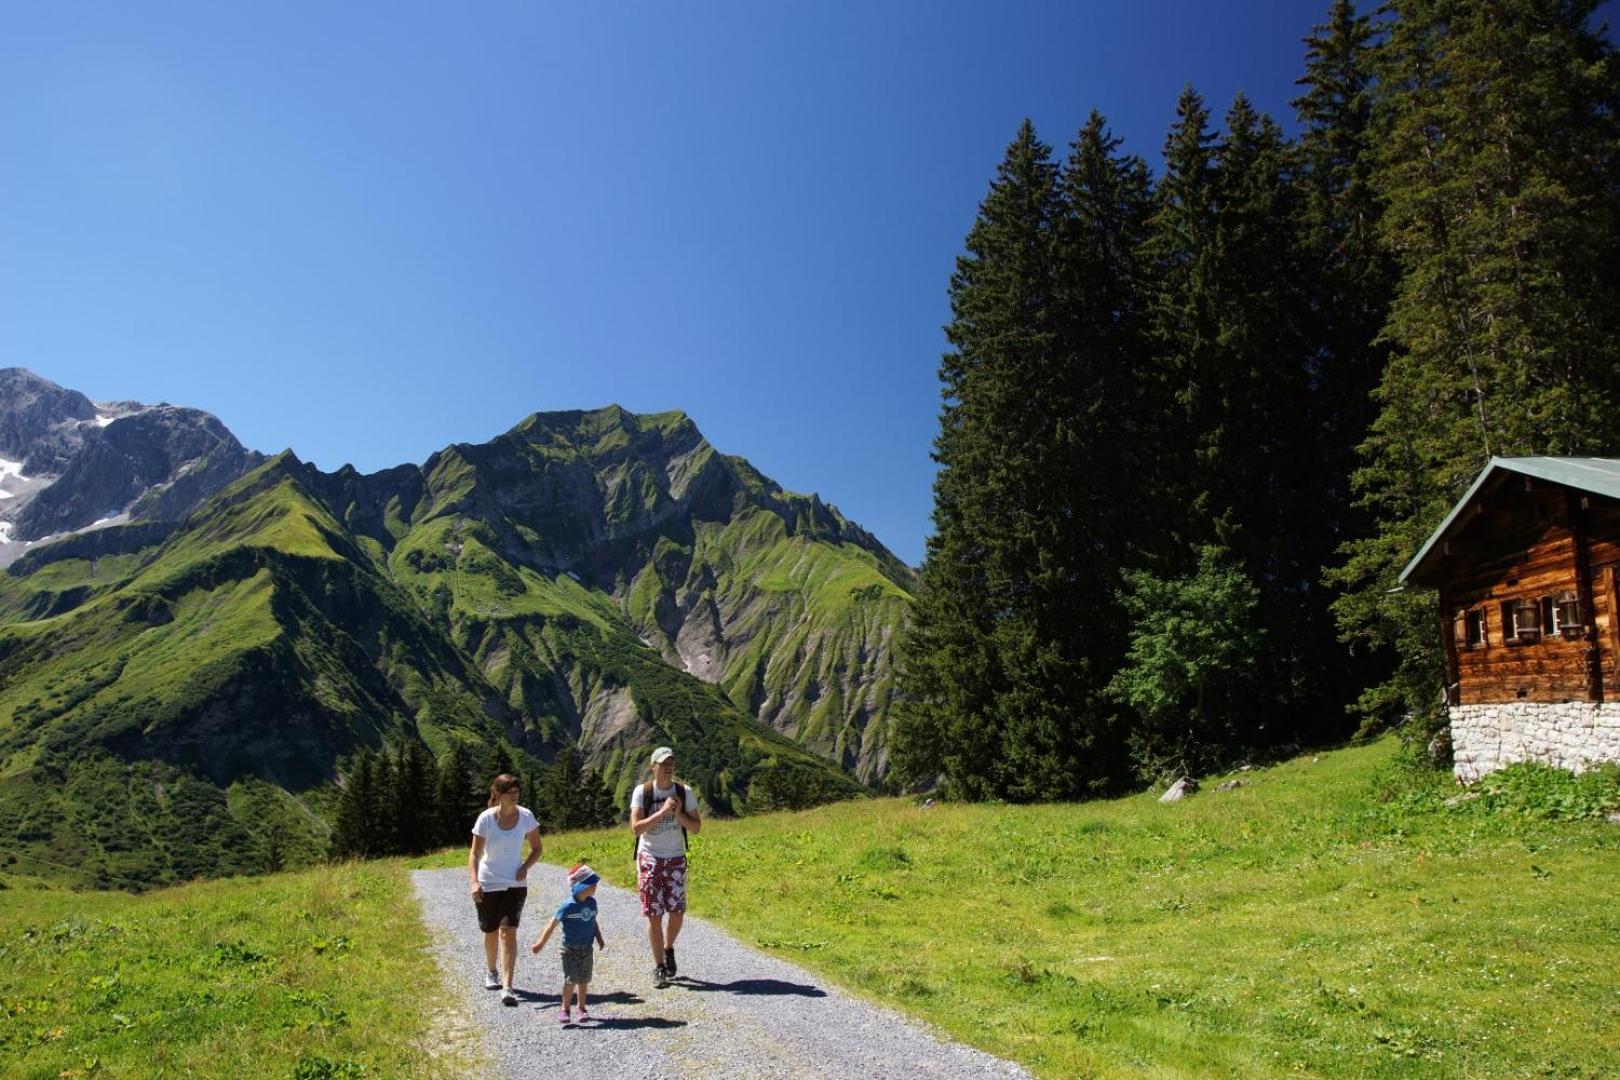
column 733, row 1011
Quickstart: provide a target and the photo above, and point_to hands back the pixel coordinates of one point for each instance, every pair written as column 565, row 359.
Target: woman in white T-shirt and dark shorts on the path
column 498, row 874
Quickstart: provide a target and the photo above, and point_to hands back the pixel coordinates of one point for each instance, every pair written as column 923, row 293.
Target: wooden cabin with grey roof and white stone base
column 1528, row 576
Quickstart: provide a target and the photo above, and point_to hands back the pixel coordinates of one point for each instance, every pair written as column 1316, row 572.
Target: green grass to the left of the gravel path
column 309, row 976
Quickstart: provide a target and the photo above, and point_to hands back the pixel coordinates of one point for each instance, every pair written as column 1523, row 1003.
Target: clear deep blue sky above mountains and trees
column 370, row 231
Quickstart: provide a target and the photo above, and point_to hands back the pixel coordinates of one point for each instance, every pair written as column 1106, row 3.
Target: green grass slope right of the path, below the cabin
column 1308, row 924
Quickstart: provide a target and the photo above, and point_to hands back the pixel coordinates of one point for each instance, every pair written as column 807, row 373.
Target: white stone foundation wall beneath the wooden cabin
column 1566, row 734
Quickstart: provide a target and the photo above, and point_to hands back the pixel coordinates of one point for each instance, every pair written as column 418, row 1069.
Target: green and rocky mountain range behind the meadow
column 185, row 621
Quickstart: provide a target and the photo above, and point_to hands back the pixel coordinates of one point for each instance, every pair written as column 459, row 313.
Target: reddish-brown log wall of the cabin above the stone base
column 1519, row 546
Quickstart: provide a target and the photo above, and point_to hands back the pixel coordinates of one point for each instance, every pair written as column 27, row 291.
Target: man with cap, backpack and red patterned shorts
column 662, row 857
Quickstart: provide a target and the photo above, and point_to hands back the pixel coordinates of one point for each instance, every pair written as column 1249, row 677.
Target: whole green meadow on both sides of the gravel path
column 1332, row 917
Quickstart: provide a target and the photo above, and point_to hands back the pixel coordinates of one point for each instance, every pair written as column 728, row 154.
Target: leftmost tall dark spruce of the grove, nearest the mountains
column 970, row 631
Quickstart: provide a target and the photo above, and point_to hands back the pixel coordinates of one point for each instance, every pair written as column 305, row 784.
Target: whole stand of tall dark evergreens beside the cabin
column 1198, row 419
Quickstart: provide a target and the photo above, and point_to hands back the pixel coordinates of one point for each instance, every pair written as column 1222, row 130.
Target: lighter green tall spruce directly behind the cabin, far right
column 1501, row 168
